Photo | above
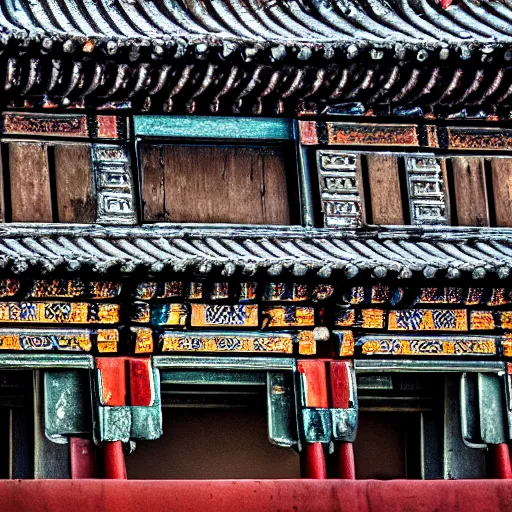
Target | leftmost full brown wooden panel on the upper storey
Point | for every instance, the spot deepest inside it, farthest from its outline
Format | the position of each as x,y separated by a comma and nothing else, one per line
30,182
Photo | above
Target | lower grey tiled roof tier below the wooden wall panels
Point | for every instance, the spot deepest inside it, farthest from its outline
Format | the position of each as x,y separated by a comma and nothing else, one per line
404,252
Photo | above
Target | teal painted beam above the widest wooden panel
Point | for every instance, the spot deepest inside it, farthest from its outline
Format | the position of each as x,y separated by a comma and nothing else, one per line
234,128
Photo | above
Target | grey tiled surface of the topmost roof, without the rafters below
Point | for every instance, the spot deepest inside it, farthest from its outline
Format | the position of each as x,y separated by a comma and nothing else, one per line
314,24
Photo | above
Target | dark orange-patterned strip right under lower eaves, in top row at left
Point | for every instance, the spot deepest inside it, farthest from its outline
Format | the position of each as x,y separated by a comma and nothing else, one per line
70,288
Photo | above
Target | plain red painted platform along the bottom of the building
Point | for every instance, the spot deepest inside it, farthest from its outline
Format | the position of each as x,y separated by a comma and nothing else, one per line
254,495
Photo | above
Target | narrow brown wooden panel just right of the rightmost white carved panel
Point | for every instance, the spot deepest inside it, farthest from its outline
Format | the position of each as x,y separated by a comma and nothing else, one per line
470,191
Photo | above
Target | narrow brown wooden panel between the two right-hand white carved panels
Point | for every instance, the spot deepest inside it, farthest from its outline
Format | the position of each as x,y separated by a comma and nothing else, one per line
386,198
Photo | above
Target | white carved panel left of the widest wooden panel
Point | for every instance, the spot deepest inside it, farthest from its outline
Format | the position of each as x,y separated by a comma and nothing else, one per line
114,184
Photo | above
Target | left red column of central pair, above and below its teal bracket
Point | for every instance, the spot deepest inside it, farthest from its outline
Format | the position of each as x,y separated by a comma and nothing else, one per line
314,395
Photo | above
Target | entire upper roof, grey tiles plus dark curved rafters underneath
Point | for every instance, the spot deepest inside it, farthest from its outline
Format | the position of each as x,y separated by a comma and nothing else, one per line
258,56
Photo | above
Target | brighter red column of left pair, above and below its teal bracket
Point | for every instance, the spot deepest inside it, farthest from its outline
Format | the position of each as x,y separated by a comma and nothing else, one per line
113,393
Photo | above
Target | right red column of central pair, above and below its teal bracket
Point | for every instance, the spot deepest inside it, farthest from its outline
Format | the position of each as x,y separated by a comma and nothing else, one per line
341,397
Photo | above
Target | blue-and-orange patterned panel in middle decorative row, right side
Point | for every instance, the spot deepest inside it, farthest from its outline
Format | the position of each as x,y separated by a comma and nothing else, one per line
428,320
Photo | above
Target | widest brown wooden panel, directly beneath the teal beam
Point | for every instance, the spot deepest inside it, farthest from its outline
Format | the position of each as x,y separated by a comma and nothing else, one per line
215,184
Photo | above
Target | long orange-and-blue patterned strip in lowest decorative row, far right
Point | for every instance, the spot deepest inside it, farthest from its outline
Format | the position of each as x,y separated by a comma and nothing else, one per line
427,346
